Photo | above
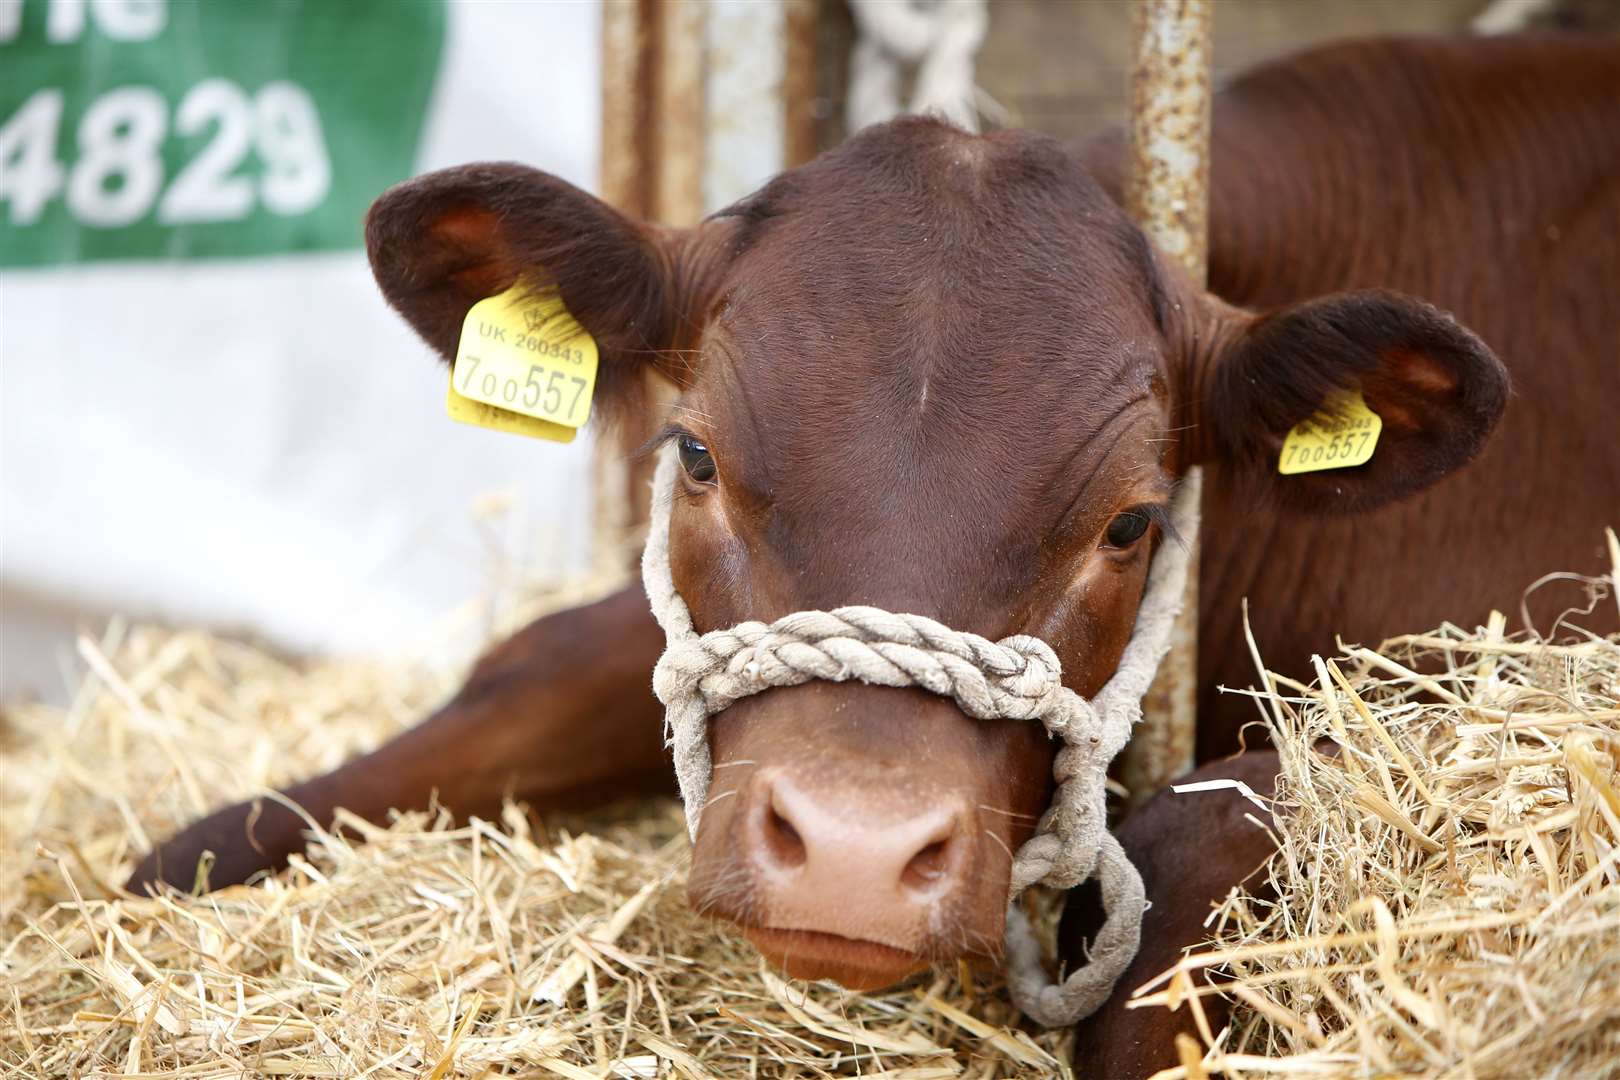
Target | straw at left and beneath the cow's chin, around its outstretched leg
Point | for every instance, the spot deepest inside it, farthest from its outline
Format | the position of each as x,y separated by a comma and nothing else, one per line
492,948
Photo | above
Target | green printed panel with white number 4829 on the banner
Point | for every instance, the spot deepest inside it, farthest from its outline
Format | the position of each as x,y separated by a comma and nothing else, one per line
195,129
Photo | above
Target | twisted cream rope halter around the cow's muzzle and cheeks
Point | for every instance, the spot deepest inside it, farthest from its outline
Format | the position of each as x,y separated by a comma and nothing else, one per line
1018,678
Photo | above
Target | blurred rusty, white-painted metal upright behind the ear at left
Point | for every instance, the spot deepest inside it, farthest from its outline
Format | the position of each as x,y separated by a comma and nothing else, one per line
704,101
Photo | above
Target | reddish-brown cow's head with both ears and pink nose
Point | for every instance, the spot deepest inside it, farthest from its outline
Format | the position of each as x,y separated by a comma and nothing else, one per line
940,375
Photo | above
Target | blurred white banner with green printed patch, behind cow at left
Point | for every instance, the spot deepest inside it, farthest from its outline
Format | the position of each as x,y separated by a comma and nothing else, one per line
255,441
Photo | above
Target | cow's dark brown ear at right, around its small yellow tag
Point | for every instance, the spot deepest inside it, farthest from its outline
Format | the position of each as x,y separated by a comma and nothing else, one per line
1438,389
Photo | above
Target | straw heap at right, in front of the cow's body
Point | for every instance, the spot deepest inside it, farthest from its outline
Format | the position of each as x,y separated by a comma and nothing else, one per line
1446,898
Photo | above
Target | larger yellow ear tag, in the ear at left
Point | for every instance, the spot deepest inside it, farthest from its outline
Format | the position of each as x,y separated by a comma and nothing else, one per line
524,365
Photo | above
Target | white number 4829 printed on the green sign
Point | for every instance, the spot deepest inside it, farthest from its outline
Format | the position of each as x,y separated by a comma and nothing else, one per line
119,169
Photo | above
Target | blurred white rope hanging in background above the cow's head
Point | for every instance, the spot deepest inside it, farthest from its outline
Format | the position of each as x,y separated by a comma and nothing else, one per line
939,36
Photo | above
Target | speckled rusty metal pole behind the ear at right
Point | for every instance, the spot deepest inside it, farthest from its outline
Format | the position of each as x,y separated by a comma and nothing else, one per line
1169,197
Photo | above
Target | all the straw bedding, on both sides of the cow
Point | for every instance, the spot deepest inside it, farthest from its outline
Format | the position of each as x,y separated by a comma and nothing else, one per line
1447,896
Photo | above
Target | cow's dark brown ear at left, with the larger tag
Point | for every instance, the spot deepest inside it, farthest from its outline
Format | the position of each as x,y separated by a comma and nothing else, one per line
440,244
